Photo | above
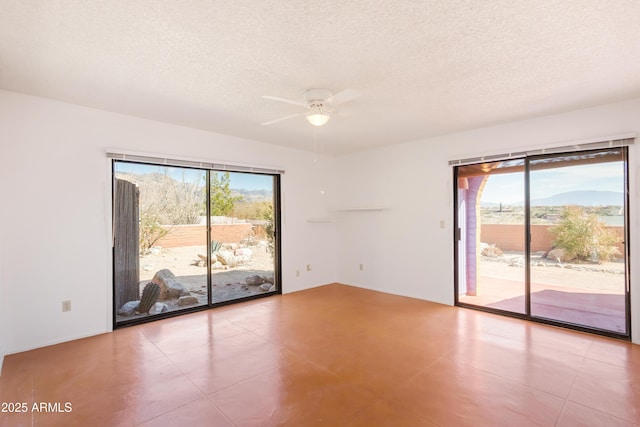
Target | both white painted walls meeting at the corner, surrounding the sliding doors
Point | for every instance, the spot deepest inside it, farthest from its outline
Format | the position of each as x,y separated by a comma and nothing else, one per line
55,207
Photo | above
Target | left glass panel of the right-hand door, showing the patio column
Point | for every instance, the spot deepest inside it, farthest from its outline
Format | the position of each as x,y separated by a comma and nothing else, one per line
491,219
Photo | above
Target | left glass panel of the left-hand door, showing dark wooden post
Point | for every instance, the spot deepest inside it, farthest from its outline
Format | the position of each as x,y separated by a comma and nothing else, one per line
158,231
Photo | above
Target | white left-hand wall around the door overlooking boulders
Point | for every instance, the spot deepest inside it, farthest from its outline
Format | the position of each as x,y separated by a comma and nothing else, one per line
55,215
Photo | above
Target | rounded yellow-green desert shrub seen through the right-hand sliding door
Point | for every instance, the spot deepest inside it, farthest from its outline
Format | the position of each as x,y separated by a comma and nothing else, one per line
584,237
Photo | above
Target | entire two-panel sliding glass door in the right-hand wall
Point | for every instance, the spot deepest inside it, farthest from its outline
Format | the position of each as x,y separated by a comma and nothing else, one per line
544,238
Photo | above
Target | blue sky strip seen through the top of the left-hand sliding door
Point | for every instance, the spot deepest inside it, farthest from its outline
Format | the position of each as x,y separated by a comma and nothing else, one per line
246,181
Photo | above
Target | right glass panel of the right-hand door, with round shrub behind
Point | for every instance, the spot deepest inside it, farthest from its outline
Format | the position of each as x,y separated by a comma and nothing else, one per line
577,202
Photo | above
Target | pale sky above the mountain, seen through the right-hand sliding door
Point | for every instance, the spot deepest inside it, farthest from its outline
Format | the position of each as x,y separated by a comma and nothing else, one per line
509,188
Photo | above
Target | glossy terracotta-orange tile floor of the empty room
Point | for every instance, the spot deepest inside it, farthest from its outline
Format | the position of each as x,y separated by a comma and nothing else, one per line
336,356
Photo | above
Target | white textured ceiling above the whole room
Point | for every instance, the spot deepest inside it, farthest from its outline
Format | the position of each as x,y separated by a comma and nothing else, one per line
424,68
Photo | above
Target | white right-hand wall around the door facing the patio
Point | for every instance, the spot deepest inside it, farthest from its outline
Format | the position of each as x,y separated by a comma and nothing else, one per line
403,248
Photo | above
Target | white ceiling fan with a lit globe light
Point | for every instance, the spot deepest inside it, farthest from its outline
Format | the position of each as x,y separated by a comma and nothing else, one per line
319,103
